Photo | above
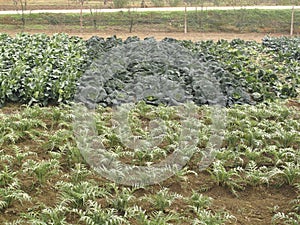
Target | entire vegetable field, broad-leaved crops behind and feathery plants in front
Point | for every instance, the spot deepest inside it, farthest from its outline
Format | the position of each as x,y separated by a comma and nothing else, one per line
254,177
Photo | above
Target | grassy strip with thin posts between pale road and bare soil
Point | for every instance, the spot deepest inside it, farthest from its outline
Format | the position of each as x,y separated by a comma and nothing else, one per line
198,20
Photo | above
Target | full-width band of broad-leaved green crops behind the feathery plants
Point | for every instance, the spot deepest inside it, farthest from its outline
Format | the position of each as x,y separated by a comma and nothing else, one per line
46,70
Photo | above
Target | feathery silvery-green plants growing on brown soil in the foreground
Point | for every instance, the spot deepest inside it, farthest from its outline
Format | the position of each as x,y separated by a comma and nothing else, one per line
39,157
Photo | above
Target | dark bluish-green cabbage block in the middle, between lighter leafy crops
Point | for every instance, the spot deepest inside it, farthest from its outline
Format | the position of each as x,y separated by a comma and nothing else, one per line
158,72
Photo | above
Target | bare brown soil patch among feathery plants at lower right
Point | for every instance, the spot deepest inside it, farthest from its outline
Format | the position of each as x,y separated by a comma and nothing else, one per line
254,205
